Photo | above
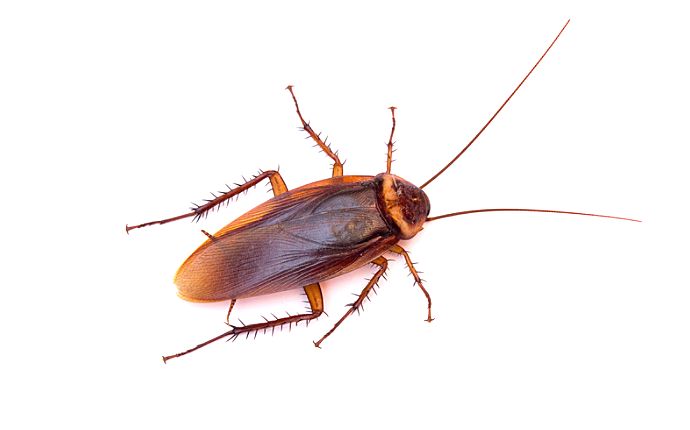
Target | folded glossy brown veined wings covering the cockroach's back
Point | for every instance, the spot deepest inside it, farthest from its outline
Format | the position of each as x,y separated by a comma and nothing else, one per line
306,235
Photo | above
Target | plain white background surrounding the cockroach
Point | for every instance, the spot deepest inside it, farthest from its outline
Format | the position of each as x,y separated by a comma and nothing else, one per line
123,112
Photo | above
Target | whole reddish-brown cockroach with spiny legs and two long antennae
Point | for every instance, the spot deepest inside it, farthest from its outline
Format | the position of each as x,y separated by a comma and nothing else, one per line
308,235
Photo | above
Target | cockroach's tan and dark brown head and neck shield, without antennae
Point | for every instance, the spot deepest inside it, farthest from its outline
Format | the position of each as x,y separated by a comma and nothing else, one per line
404,205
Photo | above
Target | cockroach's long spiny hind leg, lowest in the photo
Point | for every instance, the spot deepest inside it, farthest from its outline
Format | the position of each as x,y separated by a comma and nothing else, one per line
315,297
